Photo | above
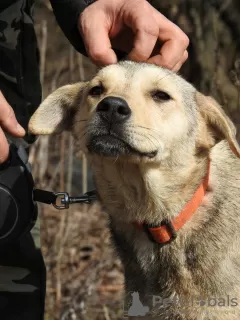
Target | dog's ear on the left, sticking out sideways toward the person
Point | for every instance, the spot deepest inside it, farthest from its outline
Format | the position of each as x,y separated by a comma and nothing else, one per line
56,112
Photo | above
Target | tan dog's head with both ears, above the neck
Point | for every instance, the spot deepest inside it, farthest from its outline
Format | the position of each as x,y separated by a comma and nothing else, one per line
135,112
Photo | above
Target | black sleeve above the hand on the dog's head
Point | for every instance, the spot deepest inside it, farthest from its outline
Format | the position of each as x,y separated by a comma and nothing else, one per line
67,13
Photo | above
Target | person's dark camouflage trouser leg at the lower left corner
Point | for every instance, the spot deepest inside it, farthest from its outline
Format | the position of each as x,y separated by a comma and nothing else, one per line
23,279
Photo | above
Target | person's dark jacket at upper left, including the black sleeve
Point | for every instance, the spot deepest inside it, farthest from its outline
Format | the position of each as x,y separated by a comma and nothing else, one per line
19,57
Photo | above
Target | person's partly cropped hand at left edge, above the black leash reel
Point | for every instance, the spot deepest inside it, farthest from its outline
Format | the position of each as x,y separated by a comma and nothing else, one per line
8,123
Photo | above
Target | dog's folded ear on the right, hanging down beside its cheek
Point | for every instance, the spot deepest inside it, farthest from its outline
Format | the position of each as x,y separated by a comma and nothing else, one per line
218,123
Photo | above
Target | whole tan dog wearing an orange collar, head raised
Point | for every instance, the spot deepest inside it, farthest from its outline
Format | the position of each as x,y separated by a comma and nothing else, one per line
149,136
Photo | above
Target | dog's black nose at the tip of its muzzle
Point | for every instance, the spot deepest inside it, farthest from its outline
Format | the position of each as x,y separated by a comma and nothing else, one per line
114,109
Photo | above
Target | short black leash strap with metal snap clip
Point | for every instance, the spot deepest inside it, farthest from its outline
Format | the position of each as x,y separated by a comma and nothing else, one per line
49,197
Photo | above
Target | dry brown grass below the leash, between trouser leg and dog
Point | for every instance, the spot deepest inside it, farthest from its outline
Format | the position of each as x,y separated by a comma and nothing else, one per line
91,279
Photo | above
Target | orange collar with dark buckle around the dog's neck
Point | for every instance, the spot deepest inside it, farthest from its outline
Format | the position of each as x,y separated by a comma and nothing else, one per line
166,231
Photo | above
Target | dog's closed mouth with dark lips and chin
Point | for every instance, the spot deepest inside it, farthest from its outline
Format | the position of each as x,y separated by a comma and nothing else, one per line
112,146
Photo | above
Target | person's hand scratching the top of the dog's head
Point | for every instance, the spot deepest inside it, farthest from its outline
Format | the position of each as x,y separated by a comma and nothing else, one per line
133,27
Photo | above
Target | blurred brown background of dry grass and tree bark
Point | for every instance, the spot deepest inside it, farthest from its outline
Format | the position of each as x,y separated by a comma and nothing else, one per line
85,279
